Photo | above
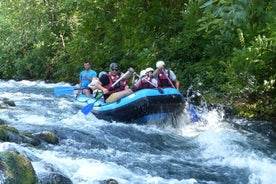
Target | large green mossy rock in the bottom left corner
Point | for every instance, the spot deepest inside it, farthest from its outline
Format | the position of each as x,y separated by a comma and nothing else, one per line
16,168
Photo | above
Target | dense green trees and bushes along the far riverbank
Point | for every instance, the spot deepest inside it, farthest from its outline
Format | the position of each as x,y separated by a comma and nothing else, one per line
225,49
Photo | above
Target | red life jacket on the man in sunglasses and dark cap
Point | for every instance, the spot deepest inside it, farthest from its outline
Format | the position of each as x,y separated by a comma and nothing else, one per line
118,87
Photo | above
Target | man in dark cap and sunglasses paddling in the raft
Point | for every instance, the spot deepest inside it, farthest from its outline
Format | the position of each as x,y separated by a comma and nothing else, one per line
114,93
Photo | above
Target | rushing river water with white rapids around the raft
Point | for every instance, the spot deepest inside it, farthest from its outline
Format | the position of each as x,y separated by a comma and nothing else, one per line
216,150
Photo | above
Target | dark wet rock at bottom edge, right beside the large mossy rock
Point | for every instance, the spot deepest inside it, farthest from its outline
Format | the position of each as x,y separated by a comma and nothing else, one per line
54,178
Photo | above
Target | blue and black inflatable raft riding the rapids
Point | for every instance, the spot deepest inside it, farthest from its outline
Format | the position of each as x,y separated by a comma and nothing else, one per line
141,106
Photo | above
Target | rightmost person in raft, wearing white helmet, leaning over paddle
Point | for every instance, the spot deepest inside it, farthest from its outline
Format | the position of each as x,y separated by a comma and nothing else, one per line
165,77
